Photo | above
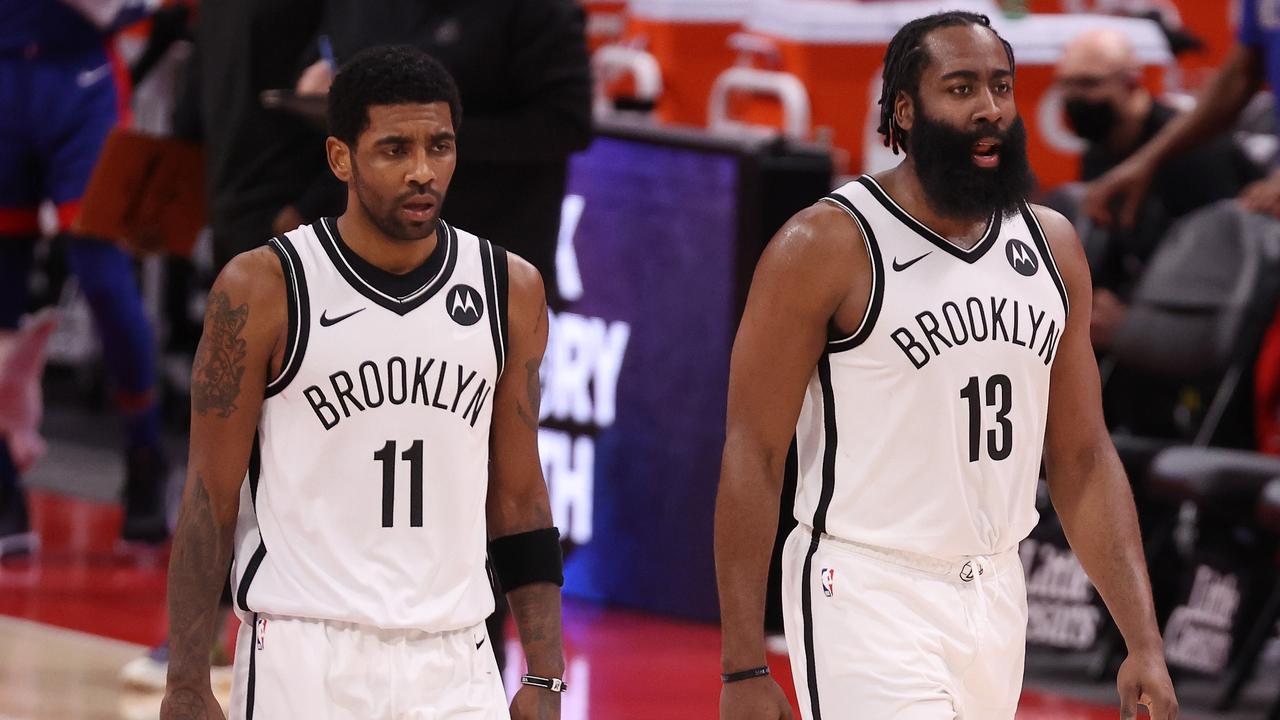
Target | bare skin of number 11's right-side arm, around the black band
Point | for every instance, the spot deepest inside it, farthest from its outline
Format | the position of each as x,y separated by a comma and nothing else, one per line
518,493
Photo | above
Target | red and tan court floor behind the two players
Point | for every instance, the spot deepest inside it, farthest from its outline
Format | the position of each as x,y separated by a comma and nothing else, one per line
623,666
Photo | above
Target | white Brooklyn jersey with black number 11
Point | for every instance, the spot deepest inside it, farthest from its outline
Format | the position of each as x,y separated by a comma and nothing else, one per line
365,498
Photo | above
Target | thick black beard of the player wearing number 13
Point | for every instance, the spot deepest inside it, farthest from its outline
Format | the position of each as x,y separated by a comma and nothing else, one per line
958,189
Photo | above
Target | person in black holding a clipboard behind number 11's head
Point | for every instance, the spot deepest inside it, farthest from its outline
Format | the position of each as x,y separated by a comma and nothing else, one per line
527,95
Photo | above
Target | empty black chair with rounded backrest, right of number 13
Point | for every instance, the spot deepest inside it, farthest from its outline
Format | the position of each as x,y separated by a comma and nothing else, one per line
1196,320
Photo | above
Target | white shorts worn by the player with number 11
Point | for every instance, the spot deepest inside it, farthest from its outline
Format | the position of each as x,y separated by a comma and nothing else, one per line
324,671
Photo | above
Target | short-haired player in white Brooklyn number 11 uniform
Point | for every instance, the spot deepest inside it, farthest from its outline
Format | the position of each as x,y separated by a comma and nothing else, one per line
364,432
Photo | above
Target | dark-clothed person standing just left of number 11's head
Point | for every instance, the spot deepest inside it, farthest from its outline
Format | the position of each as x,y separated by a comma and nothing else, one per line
267,171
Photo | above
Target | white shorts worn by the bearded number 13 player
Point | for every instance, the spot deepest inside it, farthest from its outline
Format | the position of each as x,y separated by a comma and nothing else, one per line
881,635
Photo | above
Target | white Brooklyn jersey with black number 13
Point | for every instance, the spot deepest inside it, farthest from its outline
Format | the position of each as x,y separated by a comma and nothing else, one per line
924,431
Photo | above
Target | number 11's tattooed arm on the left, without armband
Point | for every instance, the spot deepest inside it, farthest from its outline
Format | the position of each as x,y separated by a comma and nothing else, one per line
243,341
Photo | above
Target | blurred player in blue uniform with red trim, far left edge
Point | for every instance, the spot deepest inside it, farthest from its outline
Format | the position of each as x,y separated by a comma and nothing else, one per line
62,93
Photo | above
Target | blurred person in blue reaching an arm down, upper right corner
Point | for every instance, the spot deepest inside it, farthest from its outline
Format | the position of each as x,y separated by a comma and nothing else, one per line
1116,198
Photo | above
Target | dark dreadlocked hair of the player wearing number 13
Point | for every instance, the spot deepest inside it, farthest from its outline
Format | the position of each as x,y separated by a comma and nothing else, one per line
907,57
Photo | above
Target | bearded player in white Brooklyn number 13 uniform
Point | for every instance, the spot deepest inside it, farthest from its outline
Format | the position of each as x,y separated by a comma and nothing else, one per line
935,336
